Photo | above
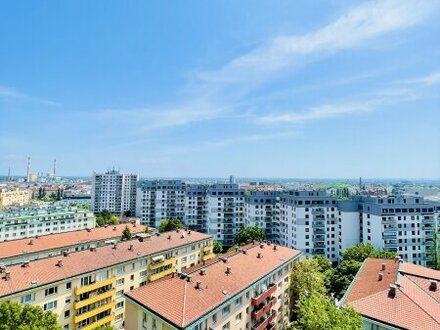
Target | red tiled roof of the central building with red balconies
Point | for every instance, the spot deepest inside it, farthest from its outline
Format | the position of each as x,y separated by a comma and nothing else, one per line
189,303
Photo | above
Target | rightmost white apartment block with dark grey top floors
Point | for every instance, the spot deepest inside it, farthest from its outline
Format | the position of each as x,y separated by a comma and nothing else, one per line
404,224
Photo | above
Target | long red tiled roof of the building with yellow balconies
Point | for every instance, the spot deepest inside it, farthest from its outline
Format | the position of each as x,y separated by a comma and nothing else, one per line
45,271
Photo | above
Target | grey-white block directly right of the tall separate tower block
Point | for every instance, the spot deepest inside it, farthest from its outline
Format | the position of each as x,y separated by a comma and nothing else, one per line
160,199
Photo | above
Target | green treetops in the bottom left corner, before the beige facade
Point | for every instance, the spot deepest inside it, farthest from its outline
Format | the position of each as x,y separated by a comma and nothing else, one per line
27,317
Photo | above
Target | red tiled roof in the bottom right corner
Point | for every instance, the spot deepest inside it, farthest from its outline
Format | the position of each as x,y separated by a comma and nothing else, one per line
414,305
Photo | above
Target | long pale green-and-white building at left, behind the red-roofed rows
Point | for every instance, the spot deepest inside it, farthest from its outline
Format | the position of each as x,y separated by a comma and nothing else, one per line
30,222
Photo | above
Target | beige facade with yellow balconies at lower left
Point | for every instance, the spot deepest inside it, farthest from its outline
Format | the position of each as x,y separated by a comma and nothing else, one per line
86,301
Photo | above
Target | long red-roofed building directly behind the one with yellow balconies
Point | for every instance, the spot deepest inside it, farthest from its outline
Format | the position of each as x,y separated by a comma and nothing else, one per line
27,249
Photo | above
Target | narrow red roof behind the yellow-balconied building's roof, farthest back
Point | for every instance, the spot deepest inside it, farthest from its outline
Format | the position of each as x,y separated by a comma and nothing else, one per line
53,241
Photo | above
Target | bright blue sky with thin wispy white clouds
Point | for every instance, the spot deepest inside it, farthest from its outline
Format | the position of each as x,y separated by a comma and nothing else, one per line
319,89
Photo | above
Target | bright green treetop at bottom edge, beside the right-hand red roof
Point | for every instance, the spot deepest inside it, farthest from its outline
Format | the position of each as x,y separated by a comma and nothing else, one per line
317,312
